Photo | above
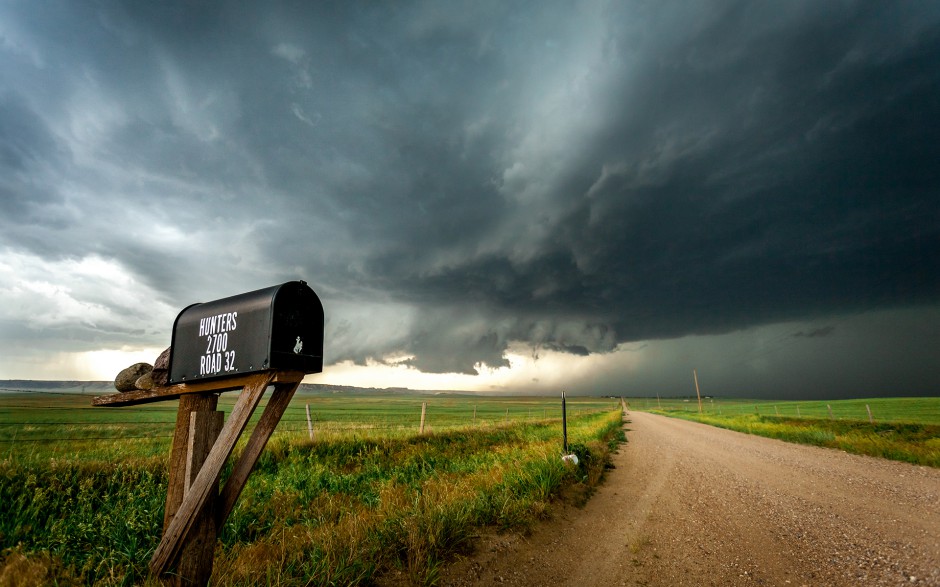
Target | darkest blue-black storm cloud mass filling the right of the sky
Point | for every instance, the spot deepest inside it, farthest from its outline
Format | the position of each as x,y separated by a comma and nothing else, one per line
747,179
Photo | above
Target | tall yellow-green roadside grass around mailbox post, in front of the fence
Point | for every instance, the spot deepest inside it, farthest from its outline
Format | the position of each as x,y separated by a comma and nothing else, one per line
346,509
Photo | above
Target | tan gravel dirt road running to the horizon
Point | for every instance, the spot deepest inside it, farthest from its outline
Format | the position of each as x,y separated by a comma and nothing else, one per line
689,504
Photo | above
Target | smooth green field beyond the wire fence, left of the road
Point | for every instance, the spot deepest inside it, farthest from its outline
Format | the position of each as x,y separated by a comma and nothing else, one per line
42,425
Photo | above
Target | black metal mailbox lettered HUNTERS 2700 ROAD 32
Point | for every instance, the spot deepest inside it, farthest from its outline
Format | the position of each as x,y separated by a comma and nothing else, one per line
279,327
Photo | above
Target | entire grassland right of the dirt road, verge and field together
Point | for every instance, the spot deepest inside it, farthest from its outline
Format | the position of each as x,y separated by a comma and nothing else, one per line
903,429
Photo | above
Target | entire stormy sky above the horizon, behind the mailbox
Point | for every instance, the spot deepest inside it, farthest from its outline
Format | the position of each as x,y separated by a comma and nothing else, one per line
515,197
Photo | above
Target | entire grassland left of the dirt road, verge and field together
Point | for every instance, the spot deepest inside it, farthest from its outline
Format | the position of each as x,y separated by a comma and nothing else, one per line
83,488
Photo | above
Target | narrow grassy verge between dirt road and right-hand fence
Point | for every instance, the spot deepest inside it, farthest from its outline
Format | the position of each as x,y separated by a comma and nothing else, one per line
909,442
